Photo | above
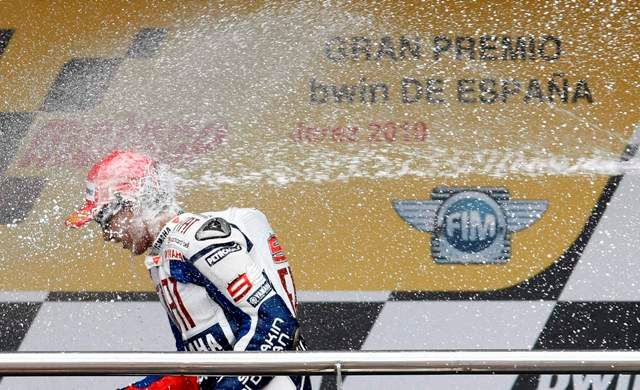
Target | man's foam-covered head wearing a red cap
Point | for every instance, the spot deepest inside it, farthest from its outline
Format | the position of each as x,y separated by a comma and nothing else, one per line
127,194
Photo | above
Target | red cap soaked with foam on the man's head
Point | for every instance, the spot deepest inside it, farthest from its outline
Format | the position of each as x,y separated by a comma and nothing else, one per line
119,172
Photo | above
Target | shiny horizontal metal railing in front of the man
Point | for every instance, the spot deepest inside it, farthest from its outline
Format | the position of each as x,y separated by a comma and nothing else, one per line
318,363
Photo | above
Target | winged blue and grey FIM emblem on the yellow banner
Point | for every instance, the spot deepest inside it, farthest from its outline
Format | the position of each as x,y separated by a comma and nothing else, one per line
470,225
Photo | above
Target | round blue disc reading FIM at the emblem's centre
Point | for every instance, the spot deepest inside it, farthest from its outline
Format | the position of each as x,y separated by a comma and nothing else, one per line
471,224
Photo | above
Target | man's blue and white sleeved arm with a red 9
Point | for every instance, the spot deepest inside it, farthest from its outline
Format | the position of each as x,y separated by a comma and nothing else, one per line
243,290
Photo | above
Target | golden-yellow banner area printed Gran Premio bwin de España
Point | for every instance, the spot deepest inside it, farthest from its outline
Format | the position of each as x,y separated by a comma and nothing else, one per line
455,154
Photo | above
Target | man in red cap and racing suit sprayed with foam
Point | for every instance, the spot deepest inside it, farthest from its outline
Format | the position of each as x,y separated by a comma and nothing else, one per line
222,277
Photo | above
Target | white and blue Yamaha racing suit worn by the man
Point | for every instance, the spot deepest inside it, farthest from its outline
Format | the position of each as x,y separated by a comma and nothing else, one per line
226,285
